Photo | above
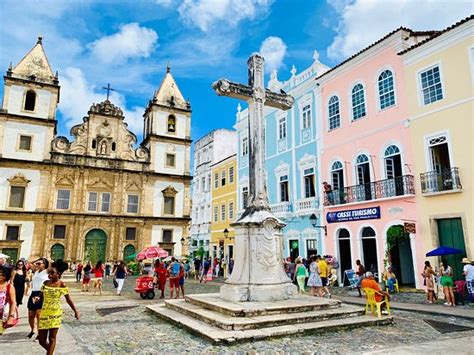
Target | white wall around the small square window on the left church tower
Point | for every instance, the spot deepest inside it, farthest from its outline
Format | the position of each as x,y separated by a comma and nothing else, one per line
11,140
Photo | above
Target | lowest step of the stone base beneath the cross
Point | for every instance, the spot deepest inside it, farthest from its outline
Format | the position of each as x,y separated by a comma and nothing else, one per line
218,335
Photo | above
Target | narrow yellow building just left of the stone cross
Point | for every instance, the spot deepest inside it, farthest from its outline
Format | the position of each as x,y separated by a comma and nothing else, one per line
224,208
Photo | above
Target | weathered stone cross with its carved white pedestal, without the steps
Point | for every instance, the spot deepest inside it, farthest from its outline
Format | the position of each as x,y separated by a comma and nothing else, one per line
258,273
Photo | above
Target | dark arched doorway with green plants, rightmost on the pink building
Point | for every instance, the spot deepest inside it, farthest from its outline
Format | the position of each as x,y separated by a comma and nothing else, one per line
401,255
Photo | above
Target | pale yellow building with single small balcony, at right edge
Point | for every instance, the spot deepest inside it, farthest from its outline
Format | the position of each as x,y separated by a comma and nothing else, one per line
439,79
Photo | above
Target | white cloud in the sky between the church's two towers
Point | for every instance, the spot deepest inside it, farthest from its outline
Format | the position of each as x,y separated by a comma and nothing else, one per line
77,95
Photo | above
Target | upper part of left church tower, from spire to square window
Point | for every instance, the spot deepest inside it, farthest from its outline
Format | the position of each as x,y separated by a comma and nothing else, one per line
28,113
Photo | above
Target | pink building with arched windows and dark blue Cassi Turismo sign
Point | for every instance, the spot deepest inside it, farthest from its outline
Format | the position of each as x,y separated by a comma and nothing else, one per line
367,160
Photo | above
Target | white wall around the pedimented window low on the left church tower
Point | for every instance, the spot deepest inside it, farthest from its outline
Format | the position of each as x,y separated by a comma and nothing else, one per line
32,190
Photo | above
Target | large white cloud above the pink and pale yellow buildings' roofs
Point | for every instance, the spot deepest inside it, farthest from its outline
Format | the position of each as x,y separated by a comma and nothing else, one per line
362,22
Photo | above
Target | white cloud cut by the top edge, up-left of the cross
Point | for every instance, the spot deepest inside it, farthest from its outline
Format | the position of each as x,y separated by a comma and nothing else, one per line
209,14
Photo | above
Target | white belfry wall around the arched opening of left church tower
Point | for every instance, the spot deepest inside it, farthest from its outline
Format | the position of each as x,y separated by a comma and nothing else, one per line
16,102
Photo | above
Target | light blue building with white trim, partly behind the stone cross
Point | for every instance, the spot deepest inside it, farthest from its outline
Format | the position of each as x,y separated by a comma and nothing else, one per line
291,150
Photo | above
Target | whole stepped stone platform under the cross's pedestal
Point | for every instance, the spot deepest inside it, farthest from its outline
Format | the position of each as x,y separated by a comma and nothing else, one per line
222,321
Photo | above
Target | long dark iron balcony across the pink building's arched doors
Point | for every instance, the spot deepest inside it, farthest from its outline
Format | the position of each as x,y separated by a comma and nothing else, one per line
399,186
